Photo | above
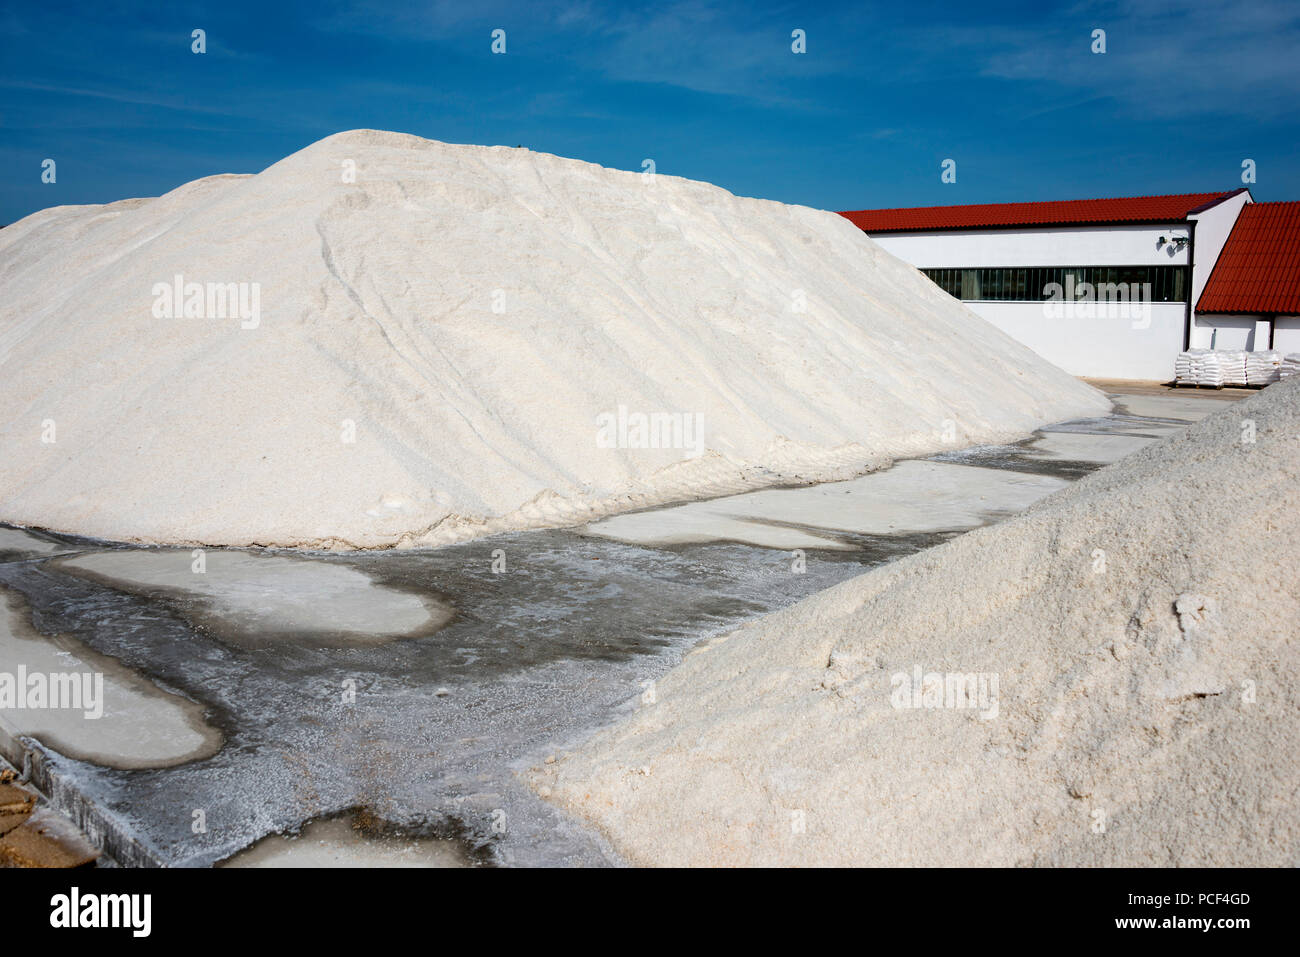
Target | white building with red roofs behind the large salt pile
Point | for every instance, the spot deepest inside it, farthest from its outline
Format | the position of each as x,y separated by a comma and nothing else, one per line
1113,288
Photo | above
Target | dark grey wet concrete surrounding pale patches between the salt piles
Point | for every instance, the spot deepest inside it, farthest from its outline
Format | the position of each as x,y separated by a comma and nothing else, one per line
427,734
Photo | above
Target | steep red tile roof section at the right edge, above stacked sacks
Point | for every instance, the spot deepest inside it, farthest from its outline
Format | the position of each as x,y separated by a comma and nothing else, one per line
1259,270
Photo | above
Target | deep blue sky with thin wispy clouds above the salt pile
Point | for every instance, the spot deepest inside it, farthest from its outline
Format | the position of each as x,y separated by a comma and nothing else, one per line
1013,93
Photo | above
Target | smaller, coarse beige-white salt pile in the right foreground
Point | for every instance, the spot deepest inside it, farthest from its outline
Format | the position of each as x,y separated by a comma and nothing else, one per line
1136,642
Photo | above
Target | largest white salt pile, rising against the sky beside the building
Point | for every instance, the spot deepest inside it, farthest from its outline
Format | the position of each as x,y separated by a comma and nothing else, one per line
430,335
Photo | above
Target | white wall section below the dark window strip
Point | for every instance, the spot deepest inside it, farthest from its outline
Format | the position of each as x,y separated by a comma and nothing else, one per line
1095,347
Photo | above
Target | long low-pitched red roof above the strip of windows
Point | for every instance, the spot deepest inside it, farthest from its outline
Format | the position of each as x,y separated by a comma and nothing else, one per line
1061,213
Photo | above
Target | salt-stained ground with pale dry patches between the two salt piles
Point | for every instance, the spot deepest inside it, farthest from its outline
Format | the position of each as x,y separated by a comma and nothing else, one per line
418,683
